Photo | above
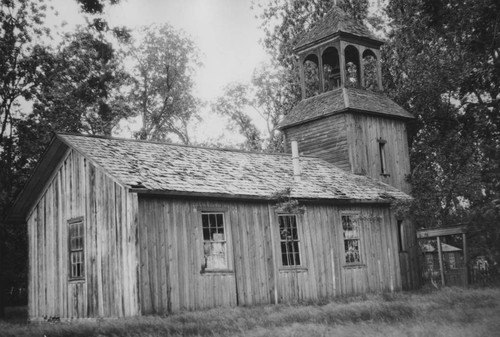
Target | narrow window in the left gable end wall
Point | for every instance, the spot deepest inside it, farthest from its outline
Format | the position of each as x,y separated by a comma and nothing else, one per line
76,249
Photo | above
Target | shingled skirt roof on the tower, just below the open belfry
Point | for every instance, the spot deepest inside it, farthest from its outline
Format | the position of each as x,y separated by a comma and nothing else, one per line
341,100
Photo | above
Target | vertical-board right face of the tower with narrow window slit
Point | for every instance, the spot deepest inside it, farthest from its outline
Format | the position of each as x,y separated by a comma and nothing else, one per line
364,151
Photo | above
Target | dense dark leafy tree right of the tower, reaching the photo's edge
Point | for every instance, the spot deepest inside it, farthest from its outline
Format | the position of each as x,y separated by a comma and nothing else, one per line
443,65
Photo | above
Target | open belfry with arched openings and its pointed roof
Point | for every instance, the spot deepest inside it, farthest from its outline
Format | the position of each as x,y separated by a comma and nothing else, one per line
342,52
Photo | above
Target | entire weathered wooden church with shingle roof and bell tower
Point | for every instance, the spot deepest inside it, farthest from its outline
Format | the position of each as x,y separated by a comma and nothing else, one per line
125,227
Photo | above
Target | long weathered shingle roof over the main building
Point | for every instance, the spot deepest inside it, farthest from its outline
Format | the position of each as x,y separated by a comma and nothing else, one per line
157,167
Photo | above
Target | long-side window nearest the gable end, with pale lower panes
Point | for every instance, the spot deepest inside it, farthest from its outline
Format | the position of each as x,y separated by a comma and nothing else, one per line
214,241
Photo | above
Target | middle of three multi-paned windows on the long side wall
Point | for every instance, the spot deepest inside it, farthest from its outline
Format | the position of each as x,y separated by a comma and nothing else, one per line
289,240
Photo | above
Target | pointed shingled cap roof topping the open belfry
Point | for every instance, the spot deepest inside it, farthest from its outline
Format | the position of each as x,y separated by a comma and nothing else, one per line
334,23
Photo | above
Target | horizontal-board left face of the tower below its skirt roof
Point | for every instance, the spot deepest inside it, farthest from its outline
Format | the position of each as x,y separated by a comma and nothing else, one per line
324,138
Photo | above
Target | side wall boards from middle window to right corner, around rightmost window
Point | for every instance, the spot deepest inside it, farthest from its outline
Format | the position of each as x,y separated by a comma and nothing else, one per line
326,273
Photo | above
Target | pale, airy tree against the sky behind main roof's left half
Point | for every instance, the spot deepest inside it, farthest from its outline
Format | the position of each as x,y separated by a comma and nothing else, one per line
165,60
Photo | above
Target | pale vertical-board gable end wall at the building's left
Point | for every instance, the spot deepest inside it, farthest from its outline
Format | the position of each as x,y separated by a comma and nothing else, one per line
79,189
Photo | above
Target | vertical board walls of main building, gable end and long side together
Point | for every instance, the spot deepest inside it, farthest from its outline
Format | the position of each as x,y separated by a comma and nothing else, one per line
143,255
